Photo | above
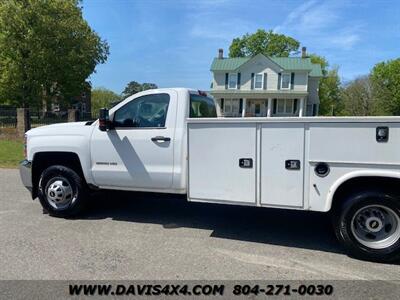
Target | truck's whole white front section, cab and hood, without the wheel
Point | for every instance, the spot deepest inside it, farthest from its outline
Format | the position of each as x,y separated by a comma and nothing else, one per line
144,147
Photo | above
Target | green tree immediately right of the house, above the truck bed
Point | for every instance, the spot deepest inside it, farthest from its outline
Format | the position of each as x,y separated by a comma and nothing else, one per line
329,88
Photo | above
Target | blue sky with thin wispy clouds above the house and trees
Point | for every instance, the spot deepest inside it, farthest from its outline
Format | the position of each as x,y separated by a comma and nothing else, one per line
173,42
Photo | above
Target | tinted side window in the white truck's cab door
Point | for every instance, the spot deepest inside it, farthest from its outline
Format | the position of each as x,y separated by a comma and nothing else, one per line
146,111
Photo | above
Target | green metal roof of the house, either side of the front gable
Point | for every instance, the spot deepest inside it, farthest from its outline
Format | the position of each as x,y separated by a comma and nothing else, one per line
286,63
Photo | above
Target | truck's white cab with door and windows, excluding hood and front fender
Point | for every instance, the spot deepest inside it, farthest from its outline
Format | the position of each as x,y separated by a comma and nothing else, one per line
146,146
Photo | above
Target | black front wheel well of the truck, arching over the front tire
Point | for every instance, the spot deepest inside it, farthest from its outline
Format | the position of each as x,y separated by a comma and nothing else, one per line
43,160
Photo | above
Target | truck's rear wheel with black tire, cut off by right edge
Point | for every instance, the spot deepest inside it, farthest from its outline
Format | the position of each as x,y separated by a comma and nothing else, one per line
347,226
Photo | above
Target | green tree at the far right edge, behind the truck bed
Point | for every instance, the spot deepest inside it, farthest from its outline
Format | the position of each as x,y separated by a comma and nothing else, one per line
385,77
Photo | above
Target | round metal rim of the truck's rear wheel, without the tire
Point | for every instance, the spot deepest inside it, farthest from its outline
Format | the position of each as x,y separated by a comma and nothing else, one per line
376,226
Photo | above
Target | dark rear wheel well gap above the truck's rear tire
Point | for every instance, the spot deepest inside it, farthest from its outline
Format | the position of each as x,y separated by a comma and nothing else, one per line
362,183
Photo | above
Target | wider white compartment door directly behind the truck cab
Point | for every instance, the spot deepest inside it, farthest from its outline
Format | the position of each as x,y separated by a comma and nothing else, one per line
222,164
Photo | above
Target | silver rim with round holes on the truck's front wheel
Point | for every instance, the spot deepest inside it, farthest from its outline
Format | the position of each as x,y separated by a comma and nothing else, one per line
59,193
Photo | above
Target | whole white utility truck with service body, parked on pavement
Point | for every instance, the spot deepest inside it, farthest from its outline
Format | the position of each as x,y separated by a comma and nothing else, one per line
171,141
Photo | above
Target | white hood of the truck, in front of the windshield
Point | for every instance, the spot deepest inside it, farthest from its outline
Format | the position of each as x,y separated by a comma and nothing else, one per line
71,128
